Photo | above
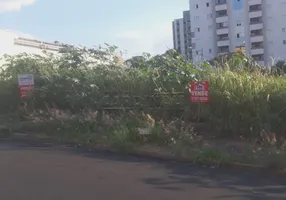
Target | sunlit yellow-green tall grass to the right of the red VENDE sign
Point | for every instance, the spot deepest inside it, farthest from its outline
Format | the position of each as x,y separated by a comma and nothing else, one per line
244,103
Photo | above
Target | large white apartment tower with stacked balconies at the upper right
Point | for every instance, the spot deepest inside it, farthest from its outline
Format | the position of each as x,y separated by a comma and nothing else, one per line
222,26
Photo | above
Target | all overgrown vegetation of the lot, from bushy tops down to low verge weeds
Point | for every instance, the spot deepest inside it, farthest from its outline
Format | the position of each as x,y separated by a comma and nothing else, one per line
91,96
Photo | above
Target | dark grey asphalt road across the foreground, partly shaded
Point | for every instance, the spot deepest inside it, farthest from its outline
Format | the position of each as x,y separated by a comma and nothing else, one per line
29,172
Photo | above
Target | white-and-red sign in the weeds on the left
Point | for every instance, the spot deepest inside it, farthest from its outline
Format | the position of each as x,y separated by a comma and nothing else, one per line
26,84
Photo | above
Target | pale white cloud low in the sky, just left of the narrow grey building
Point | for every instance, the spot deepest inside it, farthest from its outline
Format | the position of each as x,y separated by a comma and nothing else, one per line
154,40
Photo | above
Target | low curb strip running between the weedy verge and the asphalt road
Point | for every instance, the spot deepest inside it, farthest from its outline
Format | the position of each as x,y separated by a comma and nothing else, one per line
26,138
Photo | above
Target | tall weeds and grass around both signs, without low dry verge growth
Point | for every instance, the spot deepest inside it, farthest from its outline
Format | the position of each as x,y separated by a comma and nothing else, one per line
243,100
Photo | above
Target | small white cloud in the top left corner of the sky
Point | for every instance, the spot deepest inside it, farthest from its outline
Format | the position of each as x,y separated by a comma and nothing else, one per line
14,5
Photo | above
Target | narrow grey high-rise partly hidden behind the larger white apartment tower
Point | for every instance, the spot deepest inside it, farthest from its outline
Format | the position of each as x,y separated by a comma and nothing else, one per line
182,35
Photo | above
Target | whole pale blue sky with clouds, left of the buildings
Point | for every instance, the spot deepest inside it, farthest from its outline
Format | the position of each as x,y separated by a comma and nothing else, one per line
132,25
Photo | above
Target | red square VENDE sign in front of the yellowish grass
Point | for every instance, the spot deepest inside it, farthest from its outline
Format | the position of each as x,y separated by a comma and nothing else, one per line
200,92
